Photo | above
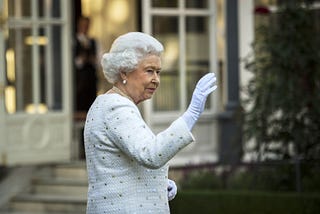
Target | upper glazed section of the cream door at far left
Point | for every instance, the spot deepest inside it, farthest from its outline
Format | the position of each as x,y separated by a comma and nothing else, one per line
33,42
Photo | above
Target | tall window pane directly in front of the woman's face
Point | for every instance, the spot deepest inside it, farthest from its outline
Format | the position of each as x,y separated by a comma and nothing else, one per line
168,95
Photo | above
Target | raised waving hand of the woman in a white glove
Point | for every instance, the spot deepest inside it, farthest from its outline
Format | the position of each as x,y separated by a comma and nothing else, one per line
204,87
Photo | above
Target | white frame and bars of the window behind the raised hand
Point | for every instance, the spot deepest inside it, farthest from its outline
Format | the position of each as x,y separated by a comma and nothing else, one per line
181,12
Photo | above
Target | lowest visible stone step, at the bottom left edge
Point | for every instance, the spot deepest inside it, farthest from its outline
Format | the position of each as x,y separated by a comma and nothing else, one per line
49,203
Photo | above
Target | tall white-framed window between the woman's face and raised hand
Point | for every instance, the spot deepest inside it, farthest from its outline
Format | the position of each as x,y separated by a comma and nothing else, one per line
186,29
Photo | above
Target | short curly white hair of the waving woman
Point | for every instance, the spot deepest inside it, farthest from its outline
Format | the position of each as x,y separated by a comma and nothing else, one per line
126,52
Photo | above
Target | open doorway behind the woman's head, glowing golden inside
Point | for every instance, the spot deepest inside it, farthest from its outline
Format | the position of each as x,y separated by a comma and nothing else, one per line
107,19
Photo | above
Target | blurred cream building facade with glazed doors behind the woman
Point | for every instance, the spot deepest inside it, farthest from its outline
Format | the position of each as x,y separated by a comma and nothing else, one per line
37,122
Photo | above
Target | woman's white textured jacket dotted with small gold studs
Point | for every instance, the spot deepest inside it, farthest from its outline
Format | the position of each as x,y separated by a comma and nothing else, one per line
126,162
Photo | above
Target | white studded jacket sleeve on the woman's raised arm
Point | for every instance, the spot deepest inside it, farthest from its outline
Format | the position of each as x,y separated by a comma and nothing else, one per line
129,132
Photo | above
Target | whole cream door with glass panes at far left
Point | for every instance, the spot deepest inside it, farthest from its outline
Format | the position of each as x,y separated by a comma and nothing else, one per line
35,81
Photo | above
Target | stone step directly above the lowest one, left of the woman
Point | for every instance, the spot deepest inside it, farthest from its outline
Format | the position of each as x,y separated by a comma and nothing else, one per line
59,186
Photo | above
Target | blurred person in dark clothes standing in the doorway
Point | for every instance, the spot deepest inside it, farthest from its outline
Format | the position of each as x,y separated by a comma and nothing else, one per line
85,67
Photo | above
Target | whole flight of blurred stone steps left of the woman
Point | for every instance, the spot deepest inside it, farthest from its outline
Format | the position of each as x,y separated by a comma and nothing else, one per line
54,189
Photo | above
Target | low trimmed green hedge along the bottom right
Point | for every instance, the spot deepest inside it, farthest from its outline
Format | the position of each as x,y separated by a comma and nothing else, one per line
238,202
